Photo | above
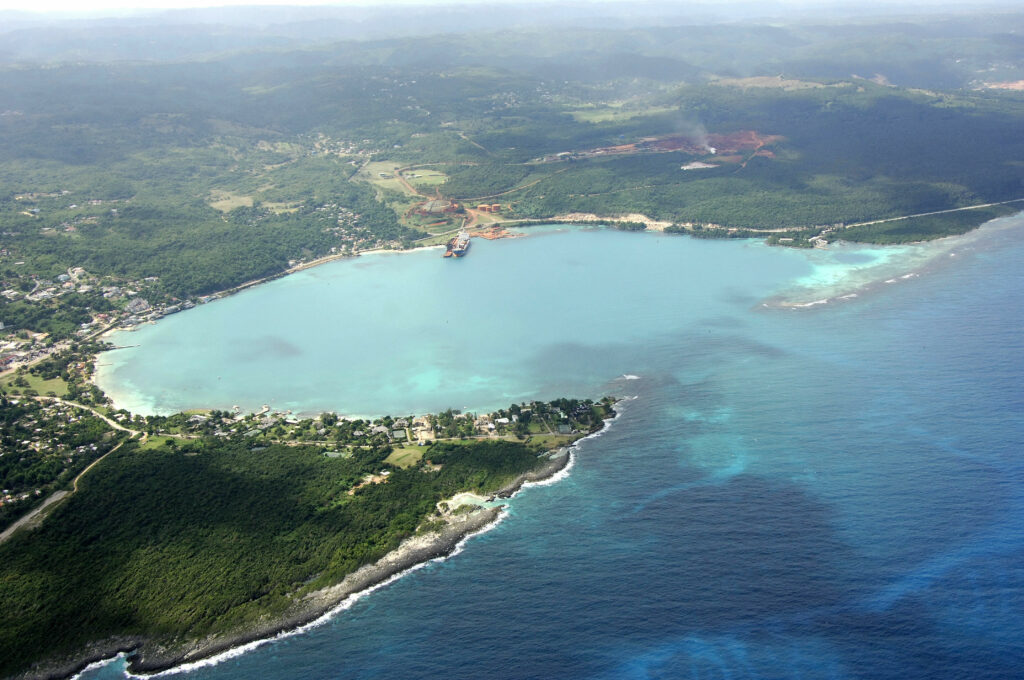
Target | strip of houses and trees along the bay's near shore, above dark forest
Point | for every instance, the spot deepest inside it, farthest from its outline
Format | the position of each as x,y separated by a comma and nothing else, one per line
50,441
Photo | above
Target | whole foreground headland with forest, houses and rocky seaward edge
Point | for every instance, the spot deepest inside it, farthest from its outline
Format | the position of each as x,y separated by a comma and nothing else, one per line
201,533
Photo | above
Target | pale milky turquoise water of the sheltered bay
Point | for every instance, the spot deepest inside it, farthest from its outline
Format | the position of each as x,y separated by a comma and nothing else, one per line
560,313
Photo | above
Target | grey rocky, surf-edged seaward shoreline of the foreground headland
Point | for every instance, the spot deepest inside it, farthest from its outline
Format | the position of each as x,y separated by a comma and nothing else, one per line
148,657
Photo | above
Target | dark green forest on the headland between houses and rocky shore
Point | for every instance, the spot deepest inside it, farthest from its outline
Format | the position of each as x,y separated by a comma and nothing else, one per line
174,543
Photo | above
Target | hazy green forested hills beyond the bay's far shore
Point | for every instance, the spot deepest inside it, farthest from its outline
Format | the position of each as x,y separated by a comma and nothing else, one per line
205,171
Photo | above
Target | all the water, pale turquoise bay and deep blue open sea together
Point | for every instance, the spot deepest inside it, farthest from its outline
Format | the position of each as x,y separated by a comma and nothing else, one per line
832,491
